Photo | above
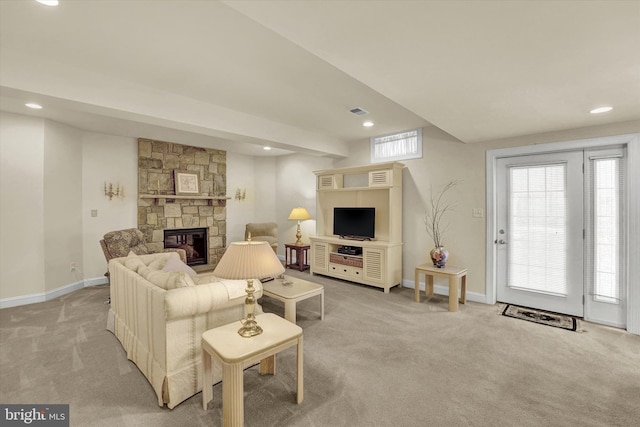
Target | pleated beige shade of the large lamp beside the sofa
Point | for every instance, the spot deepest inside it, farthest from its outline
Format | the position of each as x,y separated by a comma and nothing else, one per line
248,260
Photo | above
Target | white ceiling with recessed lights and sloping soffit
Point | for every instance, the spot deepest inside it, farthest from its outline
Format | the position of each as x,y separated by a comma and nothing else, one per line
285,73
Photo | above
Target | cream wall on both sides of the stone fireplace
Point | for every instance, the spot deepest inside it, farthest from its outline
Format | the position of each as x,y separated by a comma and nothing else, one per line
49,190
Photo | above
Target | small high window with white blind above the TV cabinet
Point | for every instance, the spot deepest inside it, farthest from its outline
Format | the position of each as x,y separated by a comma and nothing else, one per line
397,146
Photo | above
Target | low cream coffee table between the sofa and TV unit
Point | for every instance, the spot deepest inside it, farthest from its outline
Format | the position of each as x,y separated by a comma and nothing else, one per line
290,294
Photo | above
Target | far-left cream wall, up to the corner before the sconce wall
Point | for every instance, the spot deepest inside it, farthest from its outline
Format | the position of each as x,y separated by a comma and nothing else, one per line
40,205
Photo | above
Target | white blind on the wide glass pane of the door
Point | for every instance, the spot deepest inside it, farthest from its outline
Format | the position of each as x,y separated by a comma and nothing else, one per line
537,224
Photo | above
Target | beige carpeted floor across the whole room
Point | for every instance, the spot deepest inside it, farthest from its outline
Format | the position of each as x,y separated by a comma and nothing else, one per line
376,360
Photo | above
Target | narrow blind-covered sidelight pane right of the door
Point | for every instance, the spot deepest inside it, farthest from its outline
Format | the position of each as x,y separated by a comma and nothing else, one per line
606,181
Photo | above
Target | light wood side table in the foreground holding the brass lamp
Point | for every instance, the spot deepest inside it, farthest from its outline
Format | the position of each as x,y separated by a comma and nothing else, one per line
226,346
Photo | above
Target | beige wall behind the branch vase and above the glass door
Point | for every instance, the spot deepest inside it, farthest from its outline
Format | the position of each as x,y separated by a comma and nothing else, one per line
445,159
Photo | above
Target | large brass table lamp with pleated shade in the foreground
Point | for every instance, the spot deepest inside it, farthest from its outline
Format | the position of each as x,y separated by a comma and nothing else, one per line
248,261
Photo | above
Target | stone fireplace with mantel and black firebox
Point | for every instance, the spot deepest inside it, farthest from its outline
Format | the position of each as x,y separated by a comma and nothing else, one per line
160,209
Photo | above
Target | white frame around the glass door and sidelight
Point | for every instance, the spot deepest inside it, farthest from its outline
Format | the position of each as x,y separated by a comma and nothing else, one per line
632,141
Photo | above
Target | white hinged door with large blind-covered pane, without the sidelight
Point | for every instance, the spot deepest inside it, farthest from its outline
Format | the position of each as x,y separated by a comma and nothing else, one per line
540,261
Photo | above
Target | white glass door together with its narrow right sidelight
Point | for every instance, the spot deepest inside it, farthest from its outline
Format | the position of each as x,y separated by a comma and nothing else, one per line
560,242
